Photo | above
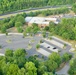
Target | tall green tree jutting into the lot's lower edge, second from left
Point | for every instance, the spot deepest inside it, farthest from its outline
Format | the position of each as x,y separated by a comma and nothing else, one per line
19,57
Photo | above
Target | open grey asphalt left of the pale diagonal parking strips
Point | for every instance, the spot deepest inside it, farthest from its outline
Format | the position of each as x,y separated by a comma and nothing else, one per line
17,41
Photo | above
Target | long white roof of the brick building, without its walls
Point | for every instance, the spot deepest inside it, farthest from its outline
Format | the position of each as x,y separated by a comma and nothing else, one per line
39,20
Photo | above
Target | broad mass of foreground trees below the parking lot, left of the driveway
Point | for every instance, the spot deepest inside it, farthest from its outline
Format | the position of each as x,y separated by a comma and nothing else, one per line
17,63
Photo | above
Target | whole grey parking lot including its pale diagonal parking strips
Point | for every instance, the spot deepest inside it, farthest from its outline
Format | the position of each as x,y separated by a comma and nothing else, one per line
29,44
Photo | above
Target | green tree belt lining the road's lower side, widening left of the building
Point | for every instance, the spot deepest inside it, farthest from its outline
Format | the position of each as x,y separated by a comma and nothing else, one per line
19,20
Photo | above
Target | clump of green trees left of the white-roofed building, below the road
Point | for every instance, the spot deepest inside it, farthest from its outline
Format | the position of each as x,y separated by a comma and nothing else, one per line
18,21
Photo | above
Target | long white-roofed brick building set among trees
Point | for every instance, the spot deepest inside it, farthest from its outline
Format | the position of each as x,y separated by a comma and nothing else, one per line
41,21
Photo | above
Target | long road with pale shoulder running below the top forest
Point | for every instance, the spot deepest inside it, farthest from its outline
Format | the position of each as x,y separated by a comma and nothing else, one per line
2,16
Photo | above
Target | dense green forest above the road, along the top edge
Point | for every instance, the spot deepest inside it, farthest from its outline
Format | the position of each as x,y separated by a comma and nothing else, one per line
9,6
